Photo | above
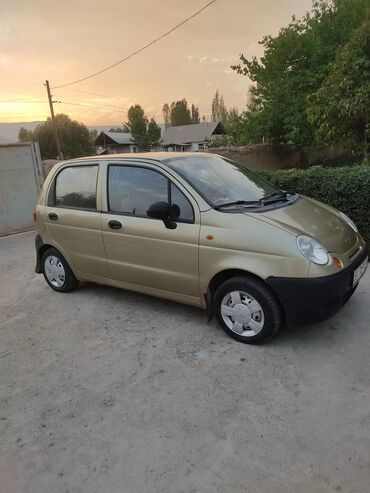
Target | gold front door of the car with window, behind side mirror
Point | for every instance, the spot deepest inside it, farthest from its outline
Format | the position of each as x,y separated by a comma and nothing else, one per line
142,251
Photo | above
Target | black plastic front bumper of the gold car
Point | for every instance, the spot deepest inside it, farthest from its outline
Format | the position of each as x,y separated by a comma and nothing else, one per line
312,300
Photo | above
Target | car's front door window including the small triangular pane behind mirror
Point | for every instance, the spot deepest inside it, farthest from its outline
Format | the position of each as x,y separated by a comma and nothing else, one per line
132,189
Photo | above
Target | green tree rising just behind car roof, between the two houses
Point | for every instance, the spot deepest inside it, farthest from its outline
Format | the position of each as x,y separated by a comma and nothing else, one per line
145,134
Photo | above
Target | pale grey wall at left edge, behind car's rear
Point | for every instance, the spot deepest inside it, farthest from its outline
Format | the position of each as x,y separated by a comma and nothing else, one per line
20,182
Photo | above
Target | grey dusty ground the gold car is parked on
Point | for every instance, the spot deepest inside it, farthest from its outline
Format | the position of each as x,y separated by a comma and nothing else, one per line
103,390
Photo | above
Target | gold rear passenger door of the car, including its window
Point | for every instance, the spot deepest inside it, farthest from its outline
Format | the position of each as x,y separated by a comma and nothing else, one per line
73,218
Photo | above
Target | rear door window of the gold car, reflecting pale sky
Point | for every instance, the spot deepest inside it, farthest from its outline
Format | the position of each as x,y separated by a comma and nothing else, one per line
75,187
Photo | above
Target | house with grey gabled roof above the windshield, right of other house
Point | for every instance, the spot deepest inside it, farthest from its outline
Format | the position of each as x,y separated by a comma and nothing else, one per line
191,137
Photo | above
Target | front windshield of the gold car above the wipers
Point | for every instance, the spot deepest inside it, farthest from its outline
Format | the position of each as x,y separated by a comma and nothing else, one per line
221,181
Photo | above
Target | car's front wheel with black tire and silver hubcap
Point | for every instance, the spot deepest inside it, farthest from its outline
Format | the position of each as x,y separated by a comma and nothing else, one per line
247,310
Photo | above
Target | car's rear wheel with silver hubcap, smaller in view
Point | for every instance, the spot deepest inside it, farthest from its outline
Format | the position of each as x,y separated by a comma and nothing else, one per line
57,272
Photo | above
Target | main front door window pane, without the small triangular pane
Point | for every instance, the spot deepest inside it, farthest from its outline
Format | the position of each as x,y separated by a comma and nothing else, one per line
131,190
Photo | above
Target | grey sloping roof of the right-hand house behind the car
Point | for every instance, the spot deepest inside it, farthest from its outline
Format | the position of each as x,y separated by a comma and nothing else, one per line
197,132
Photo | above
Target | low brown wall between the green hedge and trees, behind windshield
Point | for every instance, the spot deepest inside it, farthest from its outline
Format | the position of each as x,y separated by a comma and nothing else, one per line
267,156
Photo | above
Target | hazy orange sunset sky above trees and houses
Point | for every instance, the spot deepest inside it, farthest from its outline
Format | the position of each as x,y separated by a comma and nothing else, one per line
64,41
